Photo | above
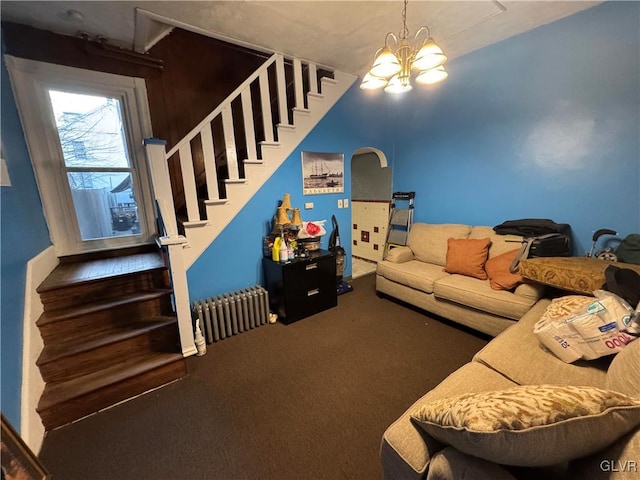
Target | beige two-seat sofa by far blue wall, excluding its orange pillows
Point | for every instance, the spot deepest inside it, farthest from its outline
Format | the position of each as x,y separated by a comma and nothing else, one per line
415,274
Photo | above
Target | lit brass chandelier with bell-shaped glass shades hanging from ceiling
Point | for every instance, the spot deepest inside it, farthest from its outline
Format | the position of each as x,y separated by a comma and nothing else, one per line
392,69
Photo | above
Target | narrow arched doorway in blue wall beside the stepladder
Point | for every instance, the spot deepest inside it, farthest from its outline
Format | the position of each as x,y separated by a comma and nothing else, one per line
371,189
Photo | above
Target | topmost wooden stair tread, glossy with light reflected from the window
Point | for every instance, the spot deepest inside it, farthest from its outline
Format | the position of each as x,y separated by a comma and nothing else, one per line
66,274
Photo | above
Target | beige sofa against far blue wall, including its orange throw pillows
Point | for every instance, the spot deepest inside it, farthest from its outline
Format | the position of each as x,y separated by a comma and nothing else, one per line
443,269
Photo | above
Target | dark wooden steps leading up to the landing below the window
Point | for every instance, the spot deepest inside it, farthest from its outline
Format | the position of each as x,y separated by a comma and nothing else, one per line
109,333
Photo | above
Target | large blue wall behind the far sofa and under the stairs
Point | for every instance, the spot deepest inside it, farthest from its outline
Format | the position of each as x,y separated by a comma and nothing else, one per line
542,125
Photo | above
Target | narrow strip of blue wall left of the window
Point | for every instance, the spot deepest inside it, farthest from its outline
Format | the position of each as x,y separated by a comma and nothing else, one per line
24,235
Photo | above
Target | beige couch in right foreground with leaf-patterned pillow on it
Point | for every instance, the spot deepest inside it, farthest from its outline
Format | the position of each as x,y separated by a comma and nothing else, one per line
601,440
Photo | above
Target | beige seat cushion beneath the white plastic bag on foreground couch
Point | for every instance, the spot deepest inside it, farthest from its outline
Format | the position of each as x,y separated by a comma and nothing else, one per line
517,354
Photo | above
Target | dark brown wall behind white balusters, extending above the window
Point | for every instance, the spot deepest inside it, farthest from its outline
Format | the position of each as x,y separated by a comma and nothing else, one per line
198,73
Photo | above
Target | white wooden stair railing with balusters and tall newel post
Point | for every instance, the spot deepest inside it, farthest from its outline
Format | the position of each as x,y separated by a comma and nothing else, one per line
158,159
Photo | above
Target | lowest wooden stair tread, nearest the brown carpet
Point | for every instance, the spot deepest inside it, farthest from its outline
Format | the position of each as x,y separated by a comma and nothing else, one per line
59,392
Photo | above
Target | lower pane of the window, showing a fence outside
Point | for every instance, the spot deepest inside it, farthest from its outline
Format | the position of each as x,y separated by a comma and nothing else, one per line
105,204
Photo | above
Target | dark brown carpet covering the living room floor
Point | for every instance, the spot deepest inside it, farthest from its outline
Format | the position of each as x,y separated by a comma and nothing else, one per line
309,400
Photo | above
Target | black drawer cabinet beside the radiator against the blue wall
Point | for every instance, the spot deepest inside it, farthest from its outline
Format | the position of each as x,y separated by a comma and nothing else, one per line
302,287
